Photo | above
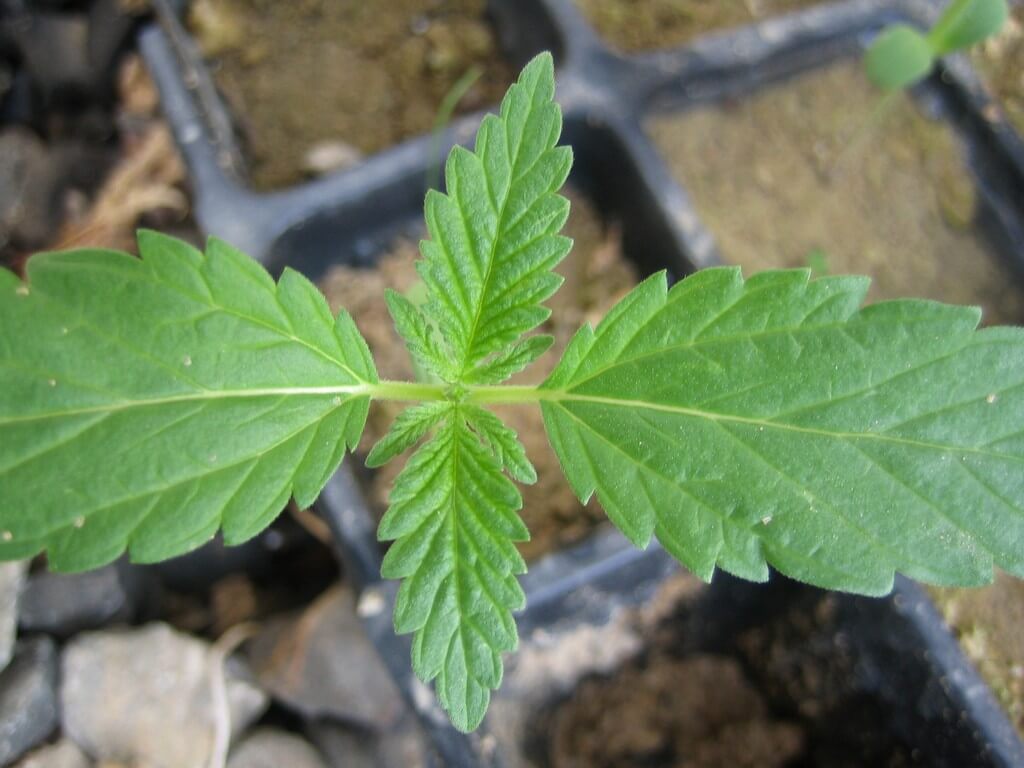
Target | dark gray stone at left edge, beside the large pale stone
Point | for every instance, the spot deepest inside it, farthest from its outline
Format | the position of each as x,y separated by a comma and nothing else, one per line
28,699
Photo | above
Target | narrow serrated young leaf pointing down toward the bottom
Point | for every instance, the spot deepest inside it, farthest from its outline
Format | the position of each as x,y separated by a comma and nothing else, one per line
453,514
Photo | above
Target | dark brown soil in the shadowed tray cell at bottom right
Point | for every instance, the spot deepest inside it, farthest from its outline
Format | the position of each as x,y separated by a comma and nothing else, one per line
781,694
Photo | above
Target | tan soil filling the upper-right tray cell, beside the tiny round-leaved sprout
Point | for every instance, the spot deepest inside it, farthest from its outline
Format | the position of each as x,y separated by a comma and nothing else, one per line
820,172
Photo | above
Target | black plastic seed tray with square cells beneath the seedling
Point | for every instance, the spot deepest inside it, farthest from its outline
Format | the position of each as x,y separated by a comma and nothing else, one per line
907,659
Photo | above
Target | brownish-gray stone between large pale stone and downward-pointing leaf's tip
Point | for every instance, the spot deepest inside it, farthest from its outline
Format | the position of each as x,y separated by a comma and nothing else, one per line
324,666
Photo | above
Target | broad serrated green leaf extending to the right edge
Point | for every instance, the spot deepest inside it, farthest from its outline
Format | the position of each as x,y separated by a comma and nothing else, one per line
772,422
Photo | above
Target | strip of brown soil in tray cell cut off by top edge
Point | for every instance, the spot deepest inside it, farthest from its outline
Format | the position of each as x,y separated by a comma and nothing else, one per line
651,25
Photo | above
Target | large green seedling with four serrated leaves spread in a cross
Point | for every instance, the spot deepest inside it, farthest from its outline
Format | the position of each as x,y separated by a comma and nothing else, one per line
147,404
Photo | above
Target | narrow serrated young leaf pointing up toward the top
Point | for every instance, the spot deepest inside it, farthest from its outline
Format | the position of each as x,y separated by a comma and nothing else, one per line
494,242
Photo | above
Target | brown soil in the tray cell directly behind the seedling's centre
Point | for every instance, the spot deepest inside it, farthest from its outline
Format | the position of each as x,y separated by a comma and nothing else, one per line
596,276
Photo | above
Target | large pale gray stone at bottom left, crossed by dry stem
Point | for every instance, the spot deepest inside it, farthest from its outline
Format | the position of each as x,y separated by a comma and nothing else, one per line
145,697
